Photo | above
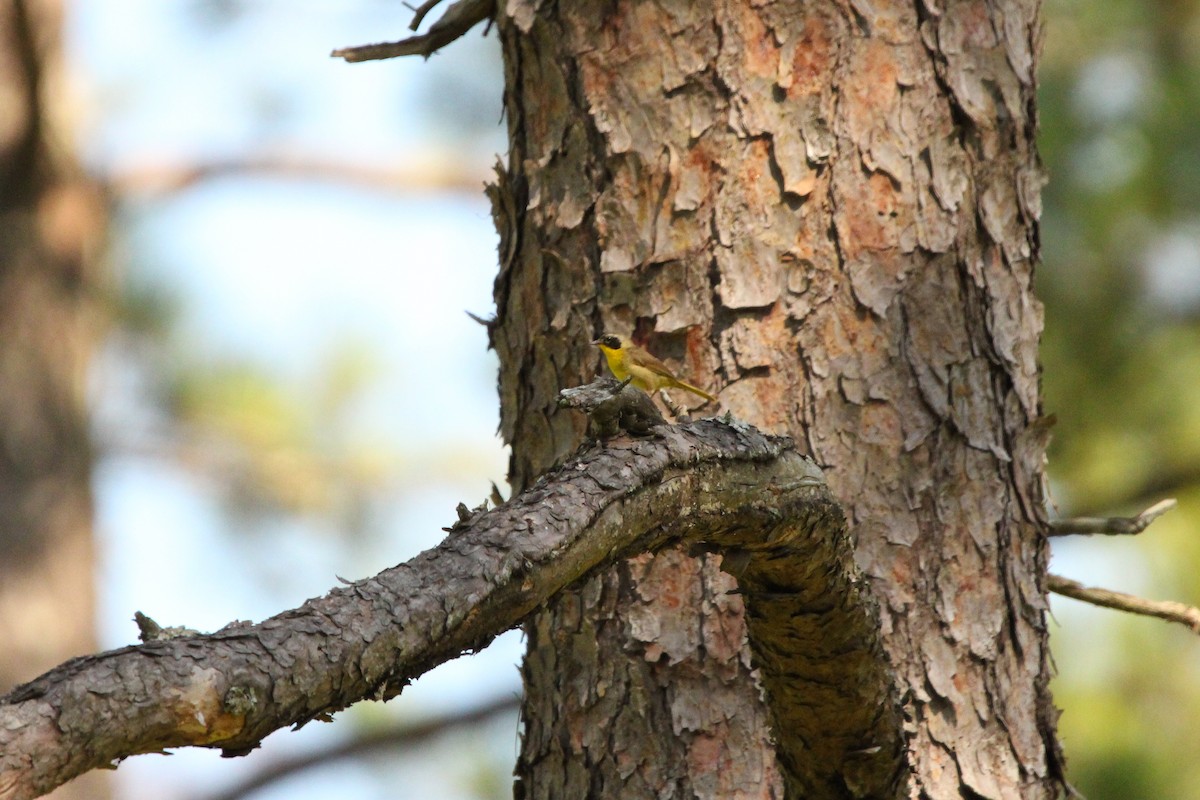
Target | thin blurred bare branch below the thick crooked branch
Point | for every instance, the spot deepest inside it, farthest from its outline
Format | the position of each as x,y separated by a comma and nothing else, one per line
373,742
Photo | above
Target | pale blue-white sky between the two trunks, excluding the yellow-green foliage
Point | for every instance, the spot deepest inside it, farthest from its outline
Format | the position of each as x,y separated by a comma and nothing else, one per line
280,272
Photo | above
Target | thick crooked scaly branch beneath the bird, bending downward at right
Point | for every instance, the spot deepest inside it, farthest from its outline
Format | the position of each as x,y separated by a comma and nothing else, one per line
710,485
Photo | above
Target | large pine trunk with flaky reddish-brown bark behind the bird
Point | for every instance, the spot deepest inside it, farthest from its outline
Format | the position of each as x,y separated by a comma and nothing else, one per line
827,213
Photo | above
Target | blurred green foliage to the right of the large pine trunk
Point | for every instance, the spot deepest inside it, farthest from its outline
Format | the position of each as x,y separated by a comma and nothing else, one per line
1120,105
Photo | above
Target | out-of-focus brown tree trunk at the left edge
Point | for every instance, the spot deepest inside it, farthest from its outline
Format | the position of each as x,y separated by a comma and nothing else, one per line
52,218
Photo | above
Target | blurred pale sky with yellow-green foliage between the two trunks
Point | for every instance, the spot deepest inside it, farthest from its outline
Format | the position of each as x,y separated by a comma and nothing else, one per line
292,393
